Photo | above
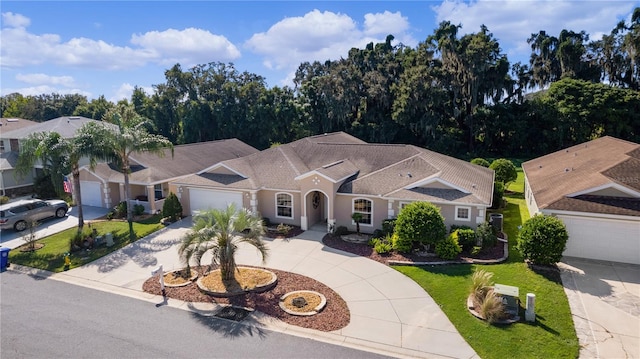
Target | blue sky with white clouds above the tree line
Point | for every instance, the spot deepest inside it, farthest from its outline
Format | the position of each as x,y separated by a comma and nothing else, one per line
106,48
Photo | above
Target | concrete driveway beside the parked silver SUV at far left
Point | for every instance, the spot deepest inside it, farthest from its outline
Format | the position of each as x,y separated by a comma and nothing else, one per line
12,239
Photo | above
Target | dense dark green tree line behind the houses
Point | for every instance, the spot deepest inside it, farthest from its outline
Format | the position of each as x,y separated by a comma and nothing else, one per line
452,93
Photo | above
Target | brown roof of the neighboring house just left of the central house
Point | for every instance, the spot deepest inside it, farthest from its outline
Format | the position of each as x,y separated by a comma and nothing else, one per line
150,168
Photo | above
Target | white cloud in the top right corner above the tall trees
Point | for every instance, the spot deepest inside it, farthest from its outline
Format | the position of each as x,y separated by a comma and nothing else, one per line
512,22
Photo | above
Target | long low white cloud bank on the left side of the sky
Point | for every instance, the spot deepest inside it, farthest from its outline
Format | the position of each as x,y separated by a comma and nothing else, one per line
190,46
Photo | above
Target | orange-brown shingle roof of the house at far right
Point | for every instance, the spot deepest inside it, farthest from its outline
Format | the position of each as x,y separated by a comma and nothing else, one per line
584,168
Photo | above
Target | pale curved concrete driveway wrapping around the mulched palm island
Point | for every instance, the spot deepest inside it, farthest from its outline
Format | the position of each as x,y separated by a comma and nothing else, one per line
390,313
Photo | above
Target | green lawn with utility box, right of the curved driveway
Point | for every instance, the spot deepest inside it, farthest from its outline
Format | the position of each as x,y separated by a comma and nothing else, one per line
551,336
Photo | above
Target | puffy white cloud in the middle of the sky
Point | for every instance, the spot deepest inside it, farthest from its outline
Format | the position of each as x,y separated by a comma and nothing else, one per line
323,36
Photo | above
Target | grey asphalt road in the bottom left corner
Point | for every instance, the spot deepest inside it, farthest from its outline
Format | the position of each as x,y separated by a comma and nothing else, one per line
43,318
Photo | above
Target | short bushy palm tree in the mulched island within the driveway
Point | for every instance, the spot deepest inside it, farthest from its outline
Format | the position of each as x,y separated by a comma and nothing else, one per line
220,232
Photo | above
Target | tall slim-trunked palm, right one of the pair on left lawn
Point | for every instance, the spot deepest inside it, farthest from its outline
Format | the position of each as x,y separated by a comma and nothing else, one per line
117,143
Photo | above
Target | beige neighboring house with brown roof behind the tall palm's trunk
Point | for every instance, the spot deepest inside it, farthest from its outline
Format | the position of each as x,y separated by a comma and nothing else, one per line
150,174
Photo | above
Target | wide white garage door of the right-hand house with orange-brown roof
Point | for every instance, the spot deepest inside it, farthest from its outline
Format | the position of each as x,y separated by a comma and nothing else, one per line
609,240
